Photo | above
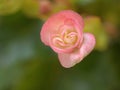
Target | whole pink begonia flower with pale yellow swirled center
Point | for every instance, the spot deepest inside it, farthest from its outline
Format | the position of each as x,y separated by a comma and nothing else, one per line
63,32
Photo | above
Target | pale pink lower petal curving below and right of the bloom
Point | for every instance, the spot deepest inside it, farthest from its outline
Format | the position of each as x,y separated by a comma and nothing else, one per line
69,60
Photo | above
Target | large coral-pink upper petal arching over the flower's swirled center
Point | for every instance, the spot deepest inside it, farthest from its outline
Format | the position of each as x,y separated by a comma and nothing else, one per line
52,25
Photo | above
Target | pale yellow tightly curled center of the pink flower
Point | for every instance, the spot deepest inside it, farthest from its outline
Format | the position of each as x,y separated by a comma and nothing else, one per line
65,39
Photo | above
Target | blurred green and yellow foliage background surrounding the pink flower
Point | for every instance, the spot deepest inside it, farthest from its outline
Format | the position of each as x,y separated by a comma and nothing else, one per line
27,64
